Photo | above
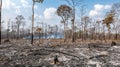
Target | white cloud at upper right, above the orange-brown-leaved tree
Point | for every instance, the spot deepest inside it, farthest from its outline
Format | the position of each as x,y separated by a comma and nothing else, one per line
98,9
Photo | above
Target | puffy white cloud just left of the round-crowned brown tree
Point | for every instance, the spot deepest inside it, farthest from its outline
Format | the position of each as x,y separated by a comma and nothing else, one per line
49,16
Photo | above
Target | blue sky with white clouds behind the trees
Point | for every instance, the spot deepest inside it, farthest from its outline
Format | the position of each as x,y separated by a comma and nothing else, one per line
45,12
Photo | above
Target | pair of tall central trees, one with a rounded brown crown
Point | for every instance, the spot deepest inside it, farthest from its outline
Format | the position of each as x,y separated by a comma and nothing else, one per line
66,12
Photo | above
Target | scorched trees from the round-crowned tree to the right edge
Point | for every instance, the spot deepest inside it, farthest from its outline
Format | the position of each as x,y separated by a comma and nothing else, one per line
89,28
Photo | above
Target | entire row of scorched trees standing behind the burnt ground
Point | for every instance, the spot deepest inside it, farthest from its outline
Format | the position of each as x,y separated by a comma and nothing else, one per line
86,28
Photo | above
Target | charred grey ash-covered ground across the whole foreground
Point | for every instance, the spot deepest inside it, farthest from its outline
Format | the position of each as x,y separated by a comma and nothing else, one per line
23,54
